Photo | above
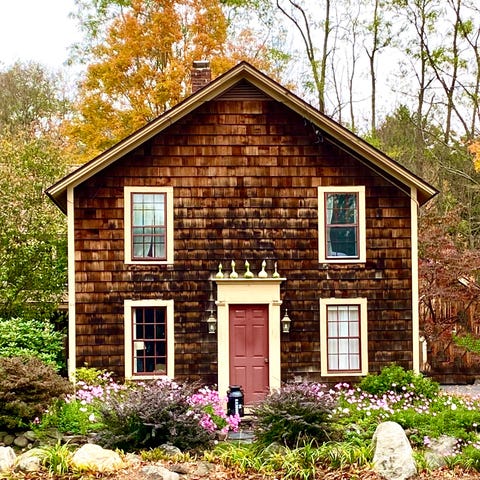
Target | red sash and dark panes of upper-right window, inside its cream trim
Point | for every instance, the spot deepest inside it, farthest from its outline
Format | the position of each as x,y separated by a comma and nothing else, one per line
341,225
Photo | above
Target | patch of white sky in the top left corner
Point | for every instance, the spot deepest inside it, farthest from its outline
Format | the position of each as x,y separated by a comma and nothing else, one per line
38,30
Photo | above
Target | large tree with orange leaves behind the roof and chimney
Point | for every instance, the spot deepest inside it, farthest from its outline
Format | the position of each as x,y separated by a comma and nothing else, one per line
139,66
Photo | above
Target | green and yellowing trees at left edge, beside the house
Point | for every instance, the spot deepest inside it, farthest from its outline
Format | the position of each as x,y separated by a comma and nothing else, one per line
32,233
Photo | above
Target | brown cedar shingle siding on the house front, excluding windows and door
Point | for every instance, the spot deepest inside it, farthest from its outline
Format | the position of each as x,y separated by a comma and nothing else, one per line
245,174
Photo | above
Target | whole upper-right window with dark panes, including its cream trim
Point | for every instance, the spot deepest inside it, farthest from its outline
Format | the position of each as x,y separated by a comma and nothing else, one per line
341,224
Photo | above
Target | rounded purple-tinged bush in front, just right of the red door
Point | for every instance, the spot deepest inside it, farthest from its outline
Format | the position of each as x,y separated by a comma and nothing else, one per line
295,415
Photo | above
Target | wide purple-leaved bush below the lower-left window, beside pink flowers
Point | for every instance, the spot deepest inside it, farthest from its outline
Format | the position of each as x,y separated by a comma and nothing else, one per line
153,413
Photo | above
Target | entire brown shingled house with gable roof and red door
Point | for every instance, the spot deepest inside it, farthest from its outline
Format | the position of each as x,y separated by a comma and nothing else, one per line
194,241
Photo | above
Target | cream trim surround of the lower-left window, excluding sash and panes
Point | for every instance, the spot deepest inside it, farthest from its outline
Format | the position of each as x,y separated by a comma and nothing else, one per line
128,306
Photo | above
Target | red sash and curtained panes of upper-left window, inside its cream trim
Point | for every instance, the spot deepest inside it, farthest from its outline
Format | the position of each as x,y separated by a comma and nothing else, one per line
149,228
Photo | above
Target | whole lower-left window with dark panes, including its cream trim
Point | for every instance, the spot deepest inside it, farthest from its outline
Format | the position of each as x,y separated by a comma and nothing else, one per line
148,338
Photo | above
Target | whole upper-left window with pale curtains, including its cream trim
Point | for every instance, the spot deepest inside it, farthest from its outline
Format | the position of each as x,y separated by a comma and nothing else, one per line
148,225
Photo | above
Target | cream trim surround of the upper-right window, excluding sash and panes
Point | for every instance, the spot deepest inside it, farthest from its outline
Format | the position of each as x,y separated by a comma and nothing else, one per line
362,251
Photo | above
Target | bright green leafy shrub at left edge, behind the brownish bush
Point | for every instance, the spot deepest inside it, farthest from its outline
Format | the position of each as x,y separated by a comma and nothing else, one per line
21,337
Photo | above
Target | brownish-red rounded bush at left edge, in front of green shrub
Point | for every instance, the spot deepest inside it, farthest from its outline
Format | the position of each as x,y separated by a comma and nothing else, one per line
27,387
